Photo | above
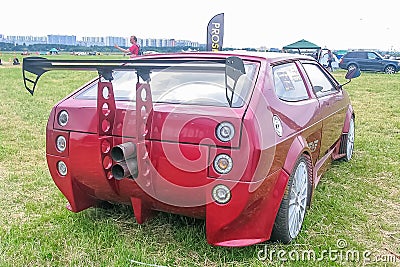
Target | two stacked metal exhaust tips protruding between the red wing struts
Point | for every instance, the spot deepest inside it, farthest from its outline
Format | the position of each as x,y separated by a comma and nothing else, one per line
125,156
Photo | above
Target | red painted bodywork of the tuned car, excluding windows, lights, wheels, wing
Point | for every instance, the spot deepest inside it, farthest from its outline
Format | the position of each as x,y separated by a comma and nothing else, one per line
180,144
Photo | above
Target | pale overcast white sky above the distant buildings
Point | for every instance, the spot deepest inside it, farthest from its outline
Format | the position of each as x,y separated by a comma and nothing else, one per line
338,24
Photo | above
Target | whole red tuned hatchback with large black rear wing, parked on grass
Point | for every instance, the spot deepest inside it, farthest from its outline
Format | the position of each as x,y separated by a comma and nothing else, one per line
240,140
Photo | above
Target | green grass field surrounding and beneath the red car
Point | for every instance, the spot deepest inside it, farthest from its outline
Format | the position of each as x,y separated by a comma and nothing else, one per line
355,211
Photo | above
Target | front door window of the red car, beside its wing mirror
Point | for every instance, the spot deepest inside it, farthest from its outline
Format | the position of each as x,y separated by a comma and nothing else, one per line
321,84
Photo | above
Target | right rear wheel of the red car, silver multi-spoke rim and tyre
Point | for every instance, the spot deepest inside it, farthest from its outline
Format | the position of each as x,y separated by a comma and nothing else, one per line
291,213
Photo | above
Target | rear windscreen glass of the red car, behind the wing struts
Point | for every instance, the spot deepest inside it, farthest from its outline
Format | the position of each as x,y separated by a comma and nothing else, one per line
178,85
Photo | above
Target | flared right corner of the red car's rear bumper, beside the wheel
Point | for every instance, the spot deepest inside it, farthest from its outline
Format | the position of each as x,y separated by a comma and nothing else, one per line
244,222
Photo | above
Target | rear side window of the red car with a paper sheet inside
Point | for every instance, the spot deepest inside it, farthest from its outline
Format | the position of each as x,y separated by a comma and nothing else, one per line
289,85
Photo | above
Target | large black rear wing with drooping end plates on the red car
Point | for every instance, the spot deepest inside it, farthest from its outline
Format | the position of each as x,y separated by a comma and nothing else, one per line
34,67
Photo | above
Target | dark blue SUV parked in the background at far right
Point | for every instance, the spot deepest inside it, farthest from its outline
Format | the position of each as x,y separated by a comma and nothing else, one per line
369,61
